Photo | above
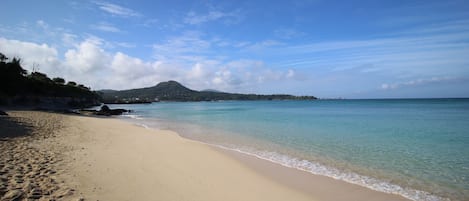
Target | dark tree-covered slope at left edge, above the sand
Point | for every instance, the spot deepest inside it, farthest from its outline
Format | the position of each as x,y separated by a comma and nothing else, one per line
18,87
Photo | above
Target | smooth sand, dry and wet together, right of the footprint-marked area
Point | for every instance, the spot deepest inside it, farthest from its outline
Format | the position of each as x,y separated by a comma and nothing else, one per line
110,159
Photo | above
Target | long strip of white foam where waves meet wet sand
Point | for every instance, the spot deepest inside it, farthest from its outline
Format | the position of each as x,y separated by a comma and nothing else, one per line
350,177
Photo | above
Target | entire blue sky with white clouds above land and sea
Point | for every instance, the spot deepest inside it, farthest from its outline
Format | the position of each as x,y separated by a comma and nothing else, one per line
328,49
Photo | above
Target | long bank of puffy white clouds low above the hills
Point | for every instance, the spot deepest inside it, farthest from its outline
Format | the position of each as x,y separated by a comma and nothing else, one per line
88,62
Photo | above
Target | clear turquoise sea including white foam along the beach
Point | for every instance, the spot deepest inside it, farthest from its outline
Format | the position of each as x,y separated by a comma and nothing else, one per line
418,148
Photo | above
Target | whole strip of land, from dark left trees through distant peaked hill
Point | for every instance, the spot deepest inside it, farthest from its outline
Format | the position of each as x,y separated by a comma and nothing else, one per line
36,89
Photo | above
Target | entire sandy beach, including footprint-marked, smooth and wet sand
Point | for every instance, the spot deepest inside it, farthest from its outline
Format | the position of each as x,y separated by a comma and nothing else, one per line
67,157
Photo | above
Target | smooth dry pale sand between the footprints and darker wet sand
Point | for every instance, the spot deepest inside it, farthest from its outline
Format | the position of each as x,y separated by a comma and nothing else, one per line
115,160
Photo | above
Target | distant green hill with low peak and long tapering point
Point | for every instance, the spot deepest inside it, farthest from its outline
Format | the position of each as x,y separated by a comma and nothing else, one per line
174,91
